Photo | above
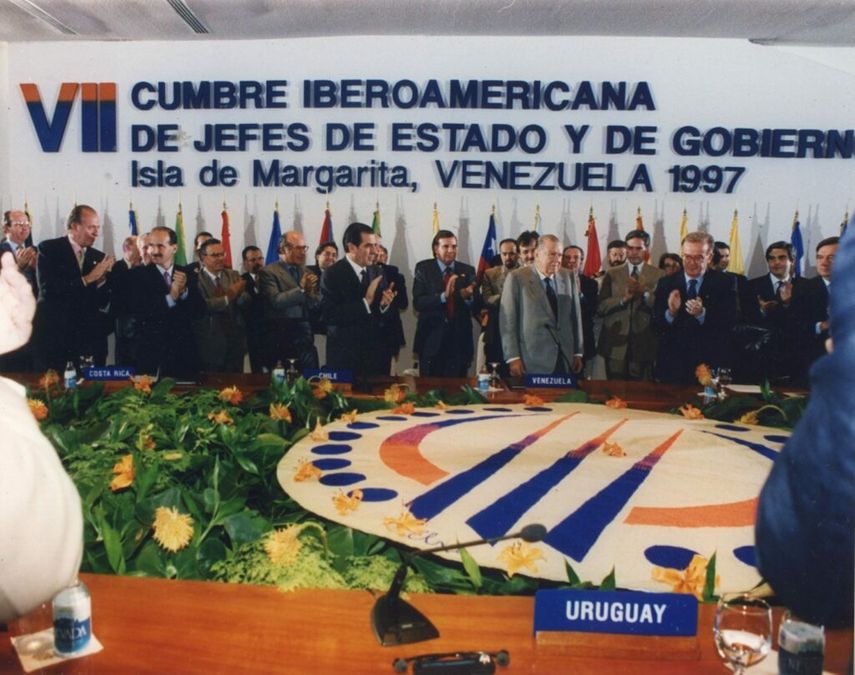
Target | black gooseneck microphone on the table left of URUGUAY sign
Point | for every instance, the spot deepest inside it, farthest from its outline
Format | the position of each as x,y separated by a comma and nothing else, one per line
396,622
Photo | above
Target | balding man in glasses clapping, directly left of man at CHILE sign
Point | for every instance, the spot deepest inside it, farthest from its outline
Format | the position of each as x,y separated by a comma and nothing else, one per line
291,292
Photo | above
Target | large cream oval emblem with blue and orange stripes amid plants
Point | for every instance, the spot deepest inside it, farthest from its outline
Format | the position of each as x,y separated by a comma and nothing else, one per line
650,495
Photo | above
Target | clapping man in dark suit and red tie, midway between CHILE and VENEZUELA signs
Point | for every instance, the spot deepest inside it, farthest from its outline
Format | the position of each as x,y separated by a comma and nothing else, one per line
446,299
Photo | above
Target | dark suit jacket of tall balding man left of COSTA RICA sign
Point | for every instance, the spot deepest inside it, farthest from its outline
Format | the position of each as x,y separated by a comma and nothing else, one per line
71,318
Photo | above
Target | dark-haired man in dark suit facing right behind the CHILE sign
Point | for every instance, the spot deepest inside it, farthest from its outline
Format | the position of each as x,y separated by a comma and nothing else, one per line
354,298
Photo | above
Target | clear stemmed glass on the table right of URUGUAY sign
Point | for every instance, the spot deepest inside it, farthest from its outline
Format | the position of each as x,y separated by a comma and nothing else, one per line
743,630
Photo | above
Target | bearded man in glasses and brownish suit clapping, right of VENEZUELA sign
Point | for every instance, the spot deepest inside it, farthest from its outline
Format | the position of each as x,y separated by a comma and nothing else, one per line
627,340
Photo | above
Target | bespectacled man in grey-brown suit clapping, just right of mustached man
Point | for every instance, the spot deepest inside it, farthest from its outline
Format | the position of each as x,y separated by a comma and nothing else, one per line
221,333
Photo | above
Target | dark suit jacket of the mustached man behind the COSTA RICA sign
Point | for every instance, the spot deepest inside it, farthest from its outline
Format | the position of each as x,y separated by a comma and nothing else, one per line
166,340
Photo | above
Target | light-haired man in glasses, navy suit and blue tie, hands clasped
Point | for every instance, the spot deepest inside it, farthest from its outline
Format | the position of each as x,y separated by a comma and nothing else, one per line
693,312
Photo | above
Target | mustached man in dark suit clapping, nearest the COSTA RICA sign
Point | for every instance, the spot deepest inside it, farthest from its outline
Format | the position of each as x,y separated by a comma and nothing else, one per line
165,300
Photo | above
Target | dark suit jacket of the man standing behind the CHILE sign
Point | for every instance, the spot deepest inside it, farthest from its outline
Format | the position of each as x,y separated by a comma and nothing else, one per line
353,332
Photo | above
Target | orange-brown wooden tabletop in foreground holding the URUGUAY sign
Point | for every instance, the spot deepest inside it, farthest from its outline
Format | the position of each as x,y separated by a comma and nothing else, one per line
169,626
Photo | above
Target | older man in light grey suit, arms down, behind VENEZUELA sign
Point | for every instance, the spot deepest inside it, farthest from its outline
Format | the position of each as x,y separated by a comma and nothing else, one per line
540,315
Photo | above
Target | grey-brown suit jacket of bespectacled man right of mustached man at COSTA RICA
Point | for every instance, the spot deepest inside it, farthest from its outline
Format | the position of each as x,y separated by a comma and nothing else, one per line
221,333
